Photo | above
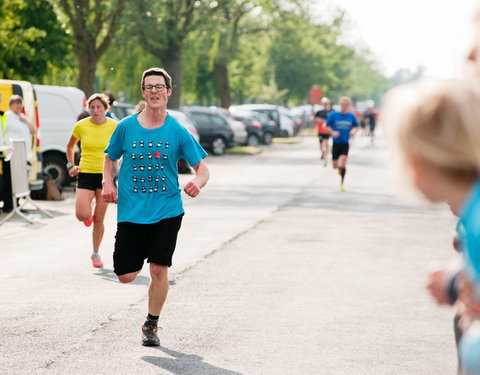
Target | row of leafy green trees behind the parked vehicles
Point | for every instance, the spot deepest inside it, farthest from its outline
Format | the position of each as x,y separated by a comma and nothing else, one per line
218,52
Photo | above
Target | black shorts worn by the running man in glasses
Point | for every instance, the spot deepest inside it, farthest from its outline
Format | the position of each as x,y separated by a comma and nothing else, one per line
136,242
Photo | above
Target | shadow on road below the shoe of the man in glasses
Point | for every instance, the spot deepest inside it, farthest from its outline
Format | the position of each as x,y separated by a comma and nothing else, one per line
186,364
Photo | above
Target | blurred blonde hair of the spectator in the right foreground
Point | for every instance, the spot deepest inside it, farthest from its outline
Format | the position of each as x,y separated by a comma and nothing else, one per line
437,121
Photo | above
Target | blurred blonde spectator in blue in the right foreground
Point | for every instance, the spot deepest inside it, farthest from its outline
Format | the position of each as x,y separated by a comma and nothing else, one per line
435,126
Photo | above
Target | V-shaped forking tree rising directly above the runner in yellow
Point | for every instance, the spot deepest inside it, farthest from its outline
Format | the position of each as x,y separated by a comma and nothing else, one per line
93,25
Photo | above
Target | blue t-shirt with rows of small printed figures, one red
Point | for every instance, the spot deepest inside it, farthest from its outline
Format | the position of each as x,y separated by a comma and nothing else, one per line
148,188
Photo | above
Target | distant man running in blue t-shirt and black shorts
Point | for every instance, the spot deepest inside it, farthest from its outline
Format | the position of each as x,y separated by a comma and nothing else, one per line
341,125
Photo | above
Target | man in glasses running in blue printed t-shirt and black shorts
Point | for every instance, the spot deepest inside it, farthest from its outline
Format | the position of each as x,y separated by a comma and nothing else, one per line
150,207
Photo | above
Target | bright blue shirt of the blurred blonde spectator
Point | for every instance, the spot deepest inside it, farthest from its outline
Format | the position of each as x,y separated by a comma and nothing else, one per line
470,236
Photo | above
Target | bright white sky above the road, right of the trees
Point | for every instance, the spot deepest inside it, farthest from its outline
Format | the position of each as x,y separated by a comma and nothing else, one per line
408,33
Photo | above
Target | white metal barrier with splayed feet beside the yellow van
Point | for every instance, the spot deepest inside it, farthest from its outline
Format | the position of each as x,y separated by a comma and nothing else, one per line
20,186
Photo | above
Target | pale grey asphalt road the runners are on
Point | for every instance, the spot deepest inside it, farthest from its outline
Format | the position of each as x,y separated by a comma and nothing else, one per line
276,272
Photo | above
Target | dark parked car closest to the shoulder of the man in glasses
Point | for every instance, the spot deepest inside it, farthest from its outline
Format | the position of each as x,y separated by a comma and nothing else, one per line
214,131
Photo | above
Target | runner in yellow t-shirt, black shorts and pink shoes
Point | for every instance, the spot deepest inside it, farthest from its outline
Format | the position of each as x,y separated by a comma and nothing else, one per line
93,133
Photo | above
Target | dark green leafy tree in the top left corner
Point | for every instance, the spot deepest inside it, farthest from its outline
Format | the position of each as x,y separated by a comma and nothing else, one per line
30,38
